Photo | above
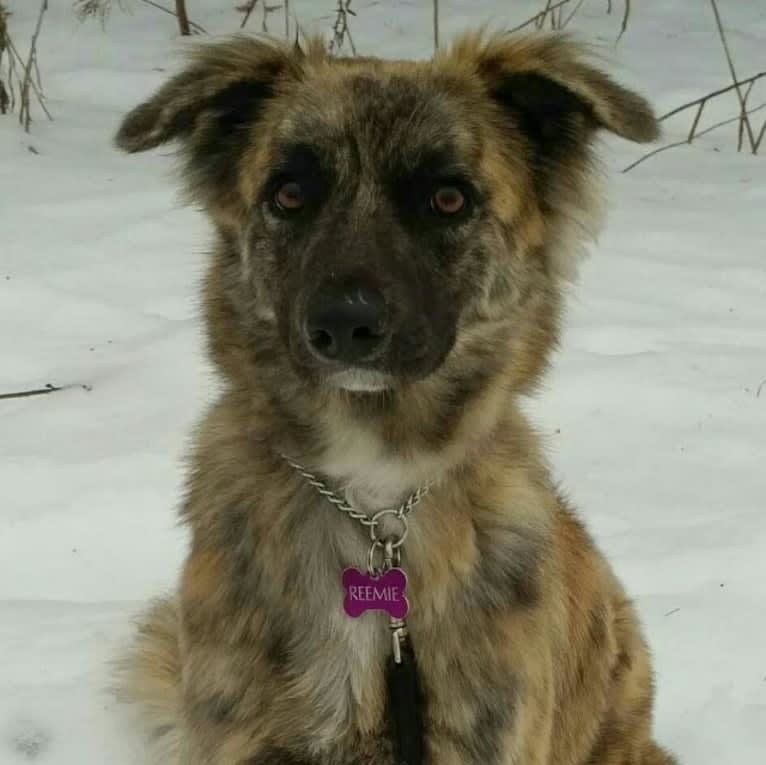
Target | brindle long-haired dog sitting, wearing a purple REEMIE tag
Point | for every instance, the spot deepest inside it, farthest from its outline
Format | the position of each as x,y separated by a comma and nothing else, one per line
393,241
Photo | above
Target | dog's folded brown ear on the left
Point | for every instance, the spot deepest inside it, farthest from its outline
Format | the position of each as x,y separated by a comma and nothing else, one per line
220,93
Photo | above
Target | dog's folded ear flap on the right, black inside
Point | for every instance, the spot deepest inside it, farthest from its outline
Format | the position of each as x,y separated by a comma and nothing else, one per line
555,96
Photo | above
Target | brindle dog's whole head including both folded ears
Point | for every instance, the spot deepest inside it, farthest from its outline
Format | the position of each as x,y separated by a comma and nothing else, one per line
387,223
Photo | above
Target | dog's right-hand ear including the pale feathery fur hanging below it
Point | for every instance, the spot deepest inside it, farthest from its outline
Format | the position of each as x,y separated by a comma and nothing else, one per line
545,89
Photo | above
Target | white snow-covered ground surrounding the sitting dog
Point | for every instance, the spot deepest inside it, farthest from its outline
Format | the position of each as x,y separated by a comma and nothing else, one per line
653,412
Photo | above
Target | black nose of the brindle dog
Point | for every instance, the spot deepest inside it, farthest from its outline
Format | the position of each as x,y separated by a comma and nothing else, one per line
346,324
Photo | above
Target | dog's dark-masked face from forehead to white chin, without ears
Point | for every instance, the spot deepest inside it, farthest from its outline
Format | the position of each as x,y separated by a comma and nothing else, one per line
368,218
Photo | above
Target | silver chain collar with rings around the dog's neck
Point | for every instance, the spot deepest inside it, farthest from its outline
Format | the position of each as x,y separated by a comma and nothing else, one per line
390,545
